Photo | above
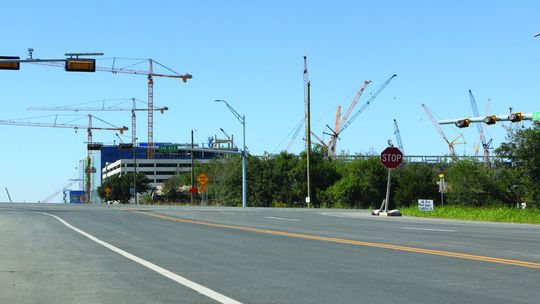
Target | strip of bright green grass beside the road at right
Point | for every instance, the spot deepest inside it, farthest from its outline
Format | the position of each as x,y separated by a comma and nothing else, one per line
488,214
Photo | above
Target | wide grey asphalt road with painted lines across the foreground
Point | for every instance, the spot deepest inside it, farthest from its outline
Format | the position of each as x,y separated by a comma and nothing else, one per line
132,254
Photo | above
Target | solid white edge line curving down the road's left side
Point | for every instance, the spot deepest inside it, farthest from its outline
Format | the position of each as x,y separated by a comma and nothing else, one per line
162,271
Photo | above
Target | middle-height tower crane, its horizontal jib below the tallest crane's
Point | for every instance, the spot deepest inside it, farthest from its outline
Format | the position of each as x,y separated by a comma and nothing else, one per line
133,109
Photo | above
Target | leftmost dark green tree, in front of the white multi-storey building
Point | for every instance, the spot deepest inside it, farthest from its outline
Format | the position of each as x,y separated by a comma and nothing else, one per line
120,185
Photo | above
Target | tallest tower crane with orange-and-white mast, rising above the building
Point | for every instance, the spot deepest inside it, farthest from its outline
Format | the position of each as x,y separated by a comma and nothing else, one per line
150,76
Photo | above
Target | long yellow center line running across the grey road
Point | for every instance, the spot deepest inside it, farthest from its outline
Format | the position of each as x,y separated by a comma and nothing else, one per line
458,255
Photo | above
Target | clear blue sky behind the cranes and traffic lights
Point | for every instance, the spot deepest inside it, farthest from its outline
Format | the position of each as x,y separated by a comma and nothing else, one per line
250,53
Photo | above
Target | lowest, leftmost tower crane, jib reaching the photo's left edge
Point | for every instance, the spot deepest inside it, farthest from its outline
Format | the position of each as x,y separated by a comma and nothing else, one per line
89,168
